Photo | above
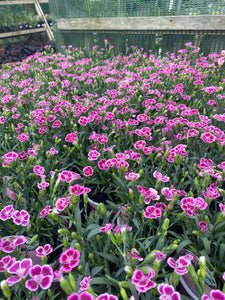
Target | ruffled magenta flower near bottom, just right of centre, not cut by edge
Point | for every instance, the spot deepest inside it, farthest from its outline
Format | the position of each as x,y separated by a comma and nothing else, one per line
143,281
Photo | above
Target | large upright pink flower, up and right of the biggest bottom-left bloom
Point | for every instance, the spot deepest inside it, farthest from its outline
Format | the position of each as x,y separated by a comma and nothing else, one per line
70,259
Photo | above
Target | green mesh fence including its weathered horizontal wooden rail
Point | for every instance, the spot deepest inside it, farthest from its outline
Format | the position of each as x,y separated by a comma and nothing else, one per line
157,25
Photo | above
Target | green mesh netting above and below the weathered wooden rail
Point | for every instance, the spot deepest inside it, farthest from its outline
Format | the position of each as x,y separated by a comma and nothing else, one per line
157,41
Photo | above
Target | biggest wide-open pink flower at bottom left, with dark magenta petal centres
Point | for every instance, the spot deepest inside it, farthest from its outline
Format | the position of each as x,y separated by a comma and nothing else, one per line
40,275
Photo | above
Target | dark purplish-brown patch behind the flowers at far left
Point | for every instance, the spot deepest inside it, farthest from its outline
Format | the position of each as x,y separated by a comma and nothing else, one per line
18,51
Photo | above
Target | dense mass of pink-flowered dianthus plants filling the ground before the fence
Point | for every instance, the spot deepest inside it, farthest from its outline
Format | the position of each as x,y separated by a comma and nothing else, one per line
141,135
